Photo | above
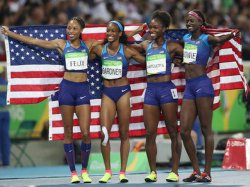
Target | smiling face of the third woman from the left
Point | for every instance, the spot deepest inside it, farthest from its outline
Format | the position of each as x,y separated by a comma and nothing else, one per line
156,29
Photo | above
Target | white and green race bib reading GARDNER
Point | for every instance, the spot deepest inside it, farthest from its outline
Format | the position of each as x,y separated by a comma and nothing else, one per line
111,69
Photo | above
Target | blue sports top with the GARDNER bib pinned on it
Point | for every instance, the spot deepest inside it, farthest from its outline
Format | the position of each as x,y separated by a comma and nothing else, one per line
116,66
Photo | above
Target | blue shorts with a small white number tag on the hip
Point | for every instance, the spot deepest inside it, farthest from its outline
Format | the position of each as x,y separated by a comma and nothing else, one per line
160,93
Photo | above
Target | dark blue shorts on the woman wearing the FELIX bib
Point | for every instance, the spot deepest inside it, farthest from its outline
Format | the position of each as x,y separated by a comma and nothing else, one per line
73,93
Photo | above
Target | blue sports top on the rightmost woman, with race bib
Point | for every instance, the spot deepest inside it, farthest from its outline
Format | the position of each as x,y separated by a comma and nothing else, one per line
196,51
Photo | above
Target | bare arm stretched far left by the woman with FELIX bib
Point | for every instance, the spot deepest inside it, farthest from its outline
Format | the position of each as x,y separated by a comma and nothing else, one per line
51,44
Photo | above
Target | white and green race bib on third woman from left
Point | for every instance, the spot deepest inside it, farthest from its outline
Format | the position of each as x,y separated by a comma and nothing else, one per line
156,64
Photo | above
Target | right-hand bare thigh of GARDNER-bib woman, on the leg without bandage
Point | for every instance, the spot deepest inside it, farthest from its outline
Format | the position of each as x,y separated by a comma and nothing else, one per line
124,111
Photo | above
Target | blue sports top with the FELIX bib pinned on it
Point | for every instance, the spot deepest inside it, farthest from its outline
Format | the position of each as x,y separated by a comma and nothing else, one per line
76,60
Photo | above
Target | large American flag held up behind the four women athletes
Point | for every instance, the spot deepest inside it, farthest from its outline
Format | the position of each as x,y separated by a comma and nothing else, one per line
34,74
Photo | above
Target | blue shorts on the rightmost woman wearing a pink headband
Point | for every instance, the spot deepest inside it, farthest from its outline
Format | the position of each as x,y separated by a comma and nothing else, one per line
198,87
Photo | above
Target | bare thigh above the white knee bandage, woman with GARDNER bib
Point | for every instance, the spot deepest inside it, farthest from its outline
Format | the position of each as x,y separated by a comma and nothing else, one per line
108,112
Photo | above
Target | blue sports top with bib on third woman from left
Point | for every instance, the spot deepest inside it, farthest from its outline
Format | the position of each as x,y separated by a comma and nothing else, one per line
158,60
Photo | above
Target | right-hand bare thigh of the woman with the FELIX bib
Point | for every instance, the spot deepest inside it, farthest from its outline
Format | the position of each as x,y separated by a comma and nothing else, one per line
83,115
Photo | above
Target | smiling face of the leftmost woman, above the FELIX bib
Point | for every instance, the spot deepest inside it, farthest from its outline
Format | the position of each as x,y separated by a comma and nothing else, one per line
74,30
